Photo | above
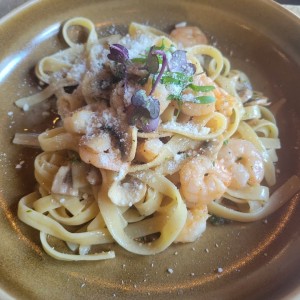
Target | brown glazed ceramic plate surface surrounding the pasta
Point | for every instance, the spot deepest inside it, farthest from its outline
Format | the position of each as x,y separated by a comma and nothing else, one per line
259,260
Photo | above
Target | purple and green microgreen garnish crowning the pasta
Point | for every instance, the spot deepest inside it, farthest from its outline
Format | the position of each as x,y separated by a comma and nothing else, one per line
175,72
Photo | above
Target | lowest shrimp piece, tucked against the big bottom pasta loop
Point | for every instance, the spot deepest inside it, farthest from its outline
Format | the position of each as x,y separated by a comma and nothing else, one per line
194,226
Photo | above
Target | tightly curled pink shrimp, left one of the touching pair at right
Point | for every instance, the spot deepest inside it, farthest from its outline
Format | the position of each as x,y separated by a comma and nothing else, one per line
202,181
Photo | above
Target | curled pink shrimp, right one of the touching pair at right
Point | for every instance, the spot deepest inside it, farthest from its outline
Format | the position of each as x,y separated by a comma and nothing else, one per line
243,161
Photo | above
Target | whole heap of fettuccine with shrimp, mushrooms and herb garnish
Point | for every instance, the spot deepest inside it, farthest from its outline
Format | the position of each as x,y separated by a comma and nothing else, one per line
157,132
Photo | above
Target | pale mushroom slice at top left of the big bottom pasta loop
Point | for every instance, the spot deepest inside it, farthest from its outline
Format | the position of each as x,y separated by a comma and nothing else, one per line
127,192
